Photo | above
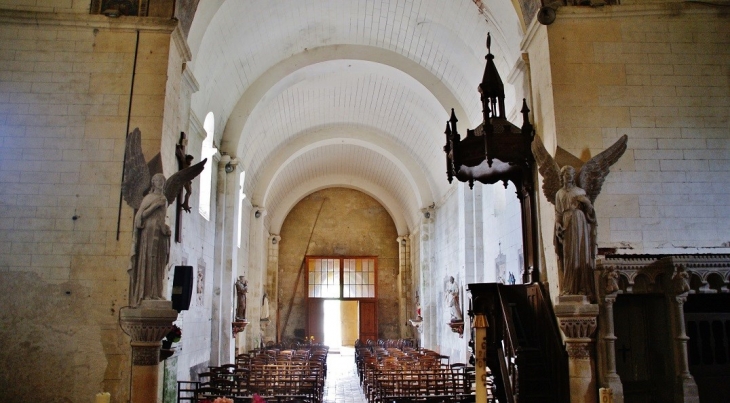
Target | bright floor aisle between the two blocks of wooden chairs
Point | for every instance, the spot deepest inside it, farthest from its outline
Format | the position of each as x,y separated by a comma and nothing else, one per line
342,384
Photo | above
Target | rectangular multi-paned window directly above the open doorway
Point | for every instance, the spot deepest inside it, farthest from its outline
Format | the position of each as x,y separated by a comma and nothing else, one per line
346,277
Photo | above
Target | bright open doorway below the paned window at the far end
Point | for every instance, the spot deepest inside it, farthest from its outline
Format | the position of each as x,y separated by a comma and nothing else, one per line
340,323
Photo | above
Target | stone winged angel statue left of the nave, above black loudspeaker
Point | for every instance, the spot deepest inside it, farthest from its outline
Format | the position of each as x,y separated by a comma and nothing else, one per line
147,191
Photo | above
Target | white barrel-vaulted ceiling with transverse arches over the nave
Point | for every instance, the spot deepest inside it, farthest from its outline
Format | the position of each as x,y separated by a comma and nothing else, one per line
313,94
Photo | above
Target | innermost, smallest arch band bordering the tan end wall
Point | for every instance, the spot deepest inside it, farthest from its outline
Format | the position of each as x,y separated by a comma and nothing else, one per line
278,213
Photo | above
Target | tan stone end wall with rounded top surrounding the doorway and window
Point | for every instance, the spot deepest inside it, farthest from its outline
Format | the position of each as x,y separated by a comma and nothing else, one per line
351,223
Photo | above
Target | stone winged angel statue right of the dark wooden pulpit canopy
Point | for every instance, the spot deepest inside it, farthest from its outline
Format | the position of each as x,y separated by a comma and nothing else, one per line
573,192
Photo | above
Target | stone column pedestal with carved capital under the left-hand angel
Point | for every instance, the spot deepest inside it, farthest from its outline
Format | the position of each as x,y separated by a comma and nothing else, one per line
147,325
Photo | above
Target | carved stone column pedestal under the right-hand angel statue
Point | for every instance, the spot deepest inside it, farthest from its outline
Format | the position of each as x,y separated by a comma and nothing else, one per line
577,319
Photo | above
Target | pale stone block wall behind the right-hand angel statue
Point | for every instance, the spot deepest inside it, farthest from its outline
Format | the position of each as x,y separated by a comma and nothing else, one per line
658,73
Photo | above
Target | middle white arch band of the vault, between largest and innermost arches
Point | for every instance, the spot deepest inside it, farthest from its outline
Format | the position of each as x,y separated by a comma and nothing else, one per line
366,137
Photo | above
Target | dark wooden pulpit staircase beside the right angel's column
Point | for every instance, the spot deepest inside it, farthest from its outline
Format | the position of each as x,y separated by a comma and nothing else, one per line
524,349
